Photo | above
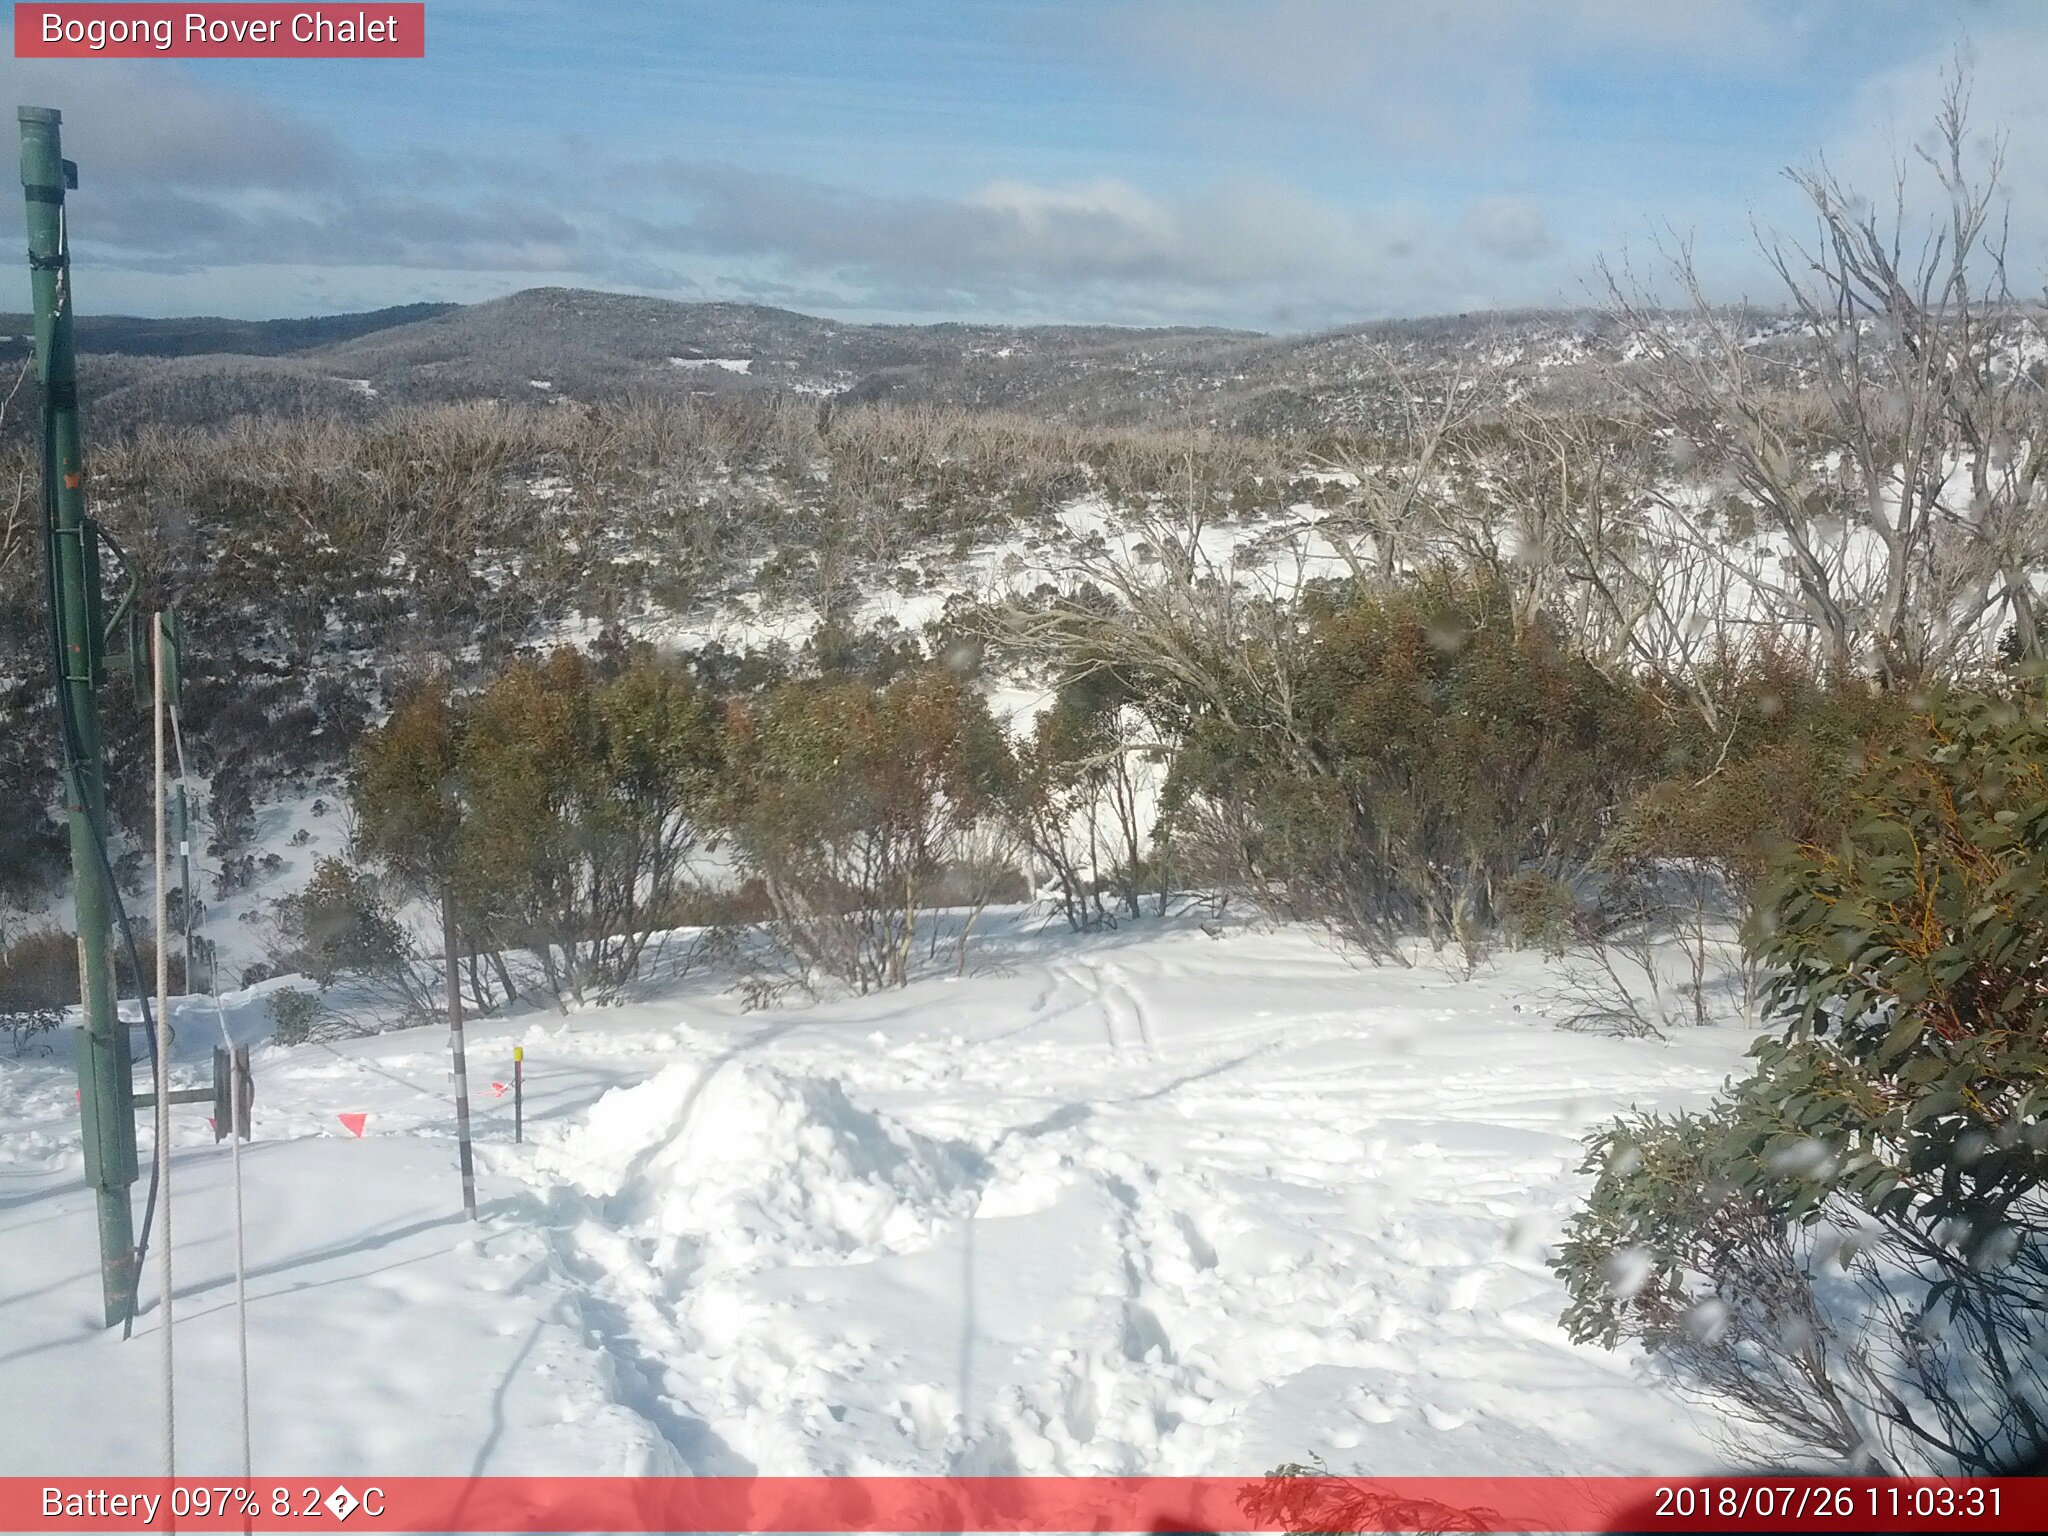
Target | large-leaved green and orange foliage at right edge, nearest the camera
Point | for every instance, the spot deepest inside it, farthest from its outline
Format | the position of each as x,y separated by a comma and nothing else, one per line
1906,964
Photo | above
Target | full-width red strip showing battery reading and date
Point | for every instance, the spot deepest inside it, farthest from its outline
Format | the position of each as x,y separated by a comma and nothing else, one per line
1025,1504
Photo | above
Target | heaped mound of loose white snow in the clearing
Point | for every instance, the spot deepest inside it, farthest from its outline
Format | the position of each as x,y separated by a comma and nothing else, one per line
744,1164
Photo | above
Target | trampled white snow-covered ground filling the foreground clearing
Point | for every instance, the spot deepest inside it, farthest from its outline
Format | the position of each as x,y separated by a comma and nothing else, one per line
1158,1201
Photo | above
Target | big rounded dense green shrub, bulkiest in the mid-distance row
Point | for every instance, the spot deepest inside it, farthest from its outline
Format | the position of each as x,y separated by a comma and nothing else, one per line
1437,749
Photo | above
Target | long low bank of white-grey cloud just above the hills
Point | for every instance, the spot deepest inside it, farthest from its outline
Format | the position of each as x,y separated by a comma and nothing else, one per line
1103,249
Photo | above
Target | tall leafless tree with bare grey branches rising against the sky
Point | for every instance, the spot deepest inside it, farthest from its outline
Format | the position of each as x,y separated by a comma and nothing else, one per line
1869,476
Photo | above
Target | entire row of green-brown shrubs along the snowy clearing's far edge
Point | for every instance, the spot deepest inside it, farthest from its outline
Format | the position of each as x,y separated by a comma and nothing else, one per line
1414,761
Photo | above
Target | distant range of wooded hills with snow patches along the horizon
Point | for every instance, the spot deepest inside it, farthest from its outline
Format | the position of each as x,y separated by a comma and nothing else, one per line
577,345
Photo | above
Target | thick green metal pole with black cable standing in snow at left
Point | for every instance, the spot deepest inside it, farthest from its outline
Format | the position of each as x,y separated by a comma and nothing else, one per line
105,1074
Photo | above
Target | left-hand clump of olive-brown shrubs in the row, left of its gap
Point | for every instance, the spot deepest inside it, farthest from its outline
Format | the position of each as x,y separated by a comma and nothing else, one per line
558,816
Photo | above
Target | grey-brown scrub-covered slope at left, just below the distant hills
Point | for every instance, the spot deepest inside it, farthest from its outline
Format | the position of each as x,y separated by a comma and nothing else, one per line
321,562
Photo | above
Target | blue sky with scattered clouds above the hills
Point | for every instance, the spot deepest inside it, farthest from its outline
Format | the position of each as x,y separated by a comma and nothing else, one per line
1273,165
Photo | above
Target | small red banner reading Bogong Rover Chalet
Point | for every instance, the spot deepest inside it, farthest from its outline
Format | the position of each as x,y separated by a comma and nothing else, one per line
220,32
